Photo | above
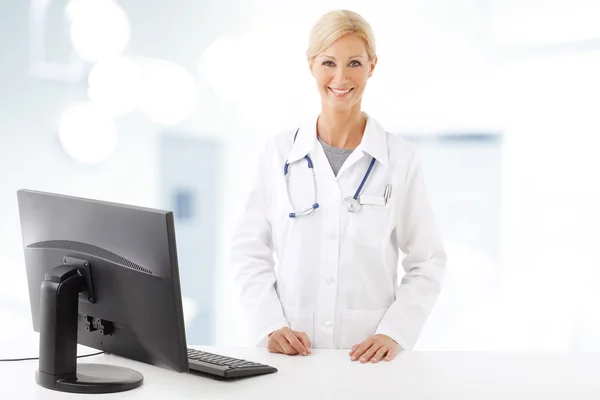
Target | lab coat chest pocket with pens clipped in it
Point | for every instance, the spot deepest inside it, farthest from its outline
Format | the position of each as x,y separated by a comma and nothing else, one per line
369,225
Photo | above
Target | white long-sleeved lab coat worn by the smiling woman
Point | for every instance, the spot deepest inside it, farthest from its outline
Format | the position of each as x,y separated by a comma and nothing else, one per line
337,272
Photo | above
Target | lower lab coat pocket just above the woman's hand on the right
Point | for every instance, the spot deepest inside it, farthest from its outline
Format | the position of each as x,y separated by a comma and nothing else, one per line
358,325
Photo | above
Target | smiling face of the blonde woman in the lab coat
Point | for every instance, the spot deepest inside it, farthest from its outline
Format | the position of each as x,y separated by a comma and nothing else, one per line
341,72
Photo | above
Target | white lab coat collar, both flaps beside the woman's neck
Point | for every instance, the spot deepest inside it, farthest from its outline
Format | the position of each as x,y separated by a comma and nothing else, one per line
374,141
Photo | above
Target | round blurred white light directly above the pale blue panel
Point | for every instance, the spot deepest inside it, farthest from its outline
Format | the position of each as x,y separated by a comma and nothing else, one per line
168,91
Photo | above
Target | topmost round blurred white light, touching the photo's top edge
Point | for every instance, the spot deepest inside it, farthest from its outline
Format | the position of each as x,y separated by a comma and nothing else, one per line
99,28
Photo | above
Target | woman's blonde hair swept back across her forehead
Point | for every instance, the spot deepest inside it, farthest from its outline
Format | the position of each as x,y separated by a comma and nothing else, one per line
335,24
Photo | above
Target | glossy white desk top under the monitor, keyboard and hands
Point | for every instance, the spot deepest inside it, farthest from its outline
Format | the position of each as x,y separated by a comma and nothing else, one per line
329,374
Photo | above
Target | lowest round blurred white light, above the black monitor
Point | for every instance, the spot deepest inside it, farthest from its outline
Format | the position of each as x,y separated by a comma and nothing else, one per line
87,135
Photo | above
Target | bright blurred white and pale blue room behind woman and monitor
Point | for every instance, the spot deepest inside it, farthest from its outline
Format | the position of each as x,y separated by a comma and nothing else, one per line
165,103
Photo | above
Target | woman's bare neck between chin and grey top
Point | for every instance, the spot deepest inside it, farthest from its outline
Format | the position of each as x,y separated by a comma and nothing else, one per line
341,129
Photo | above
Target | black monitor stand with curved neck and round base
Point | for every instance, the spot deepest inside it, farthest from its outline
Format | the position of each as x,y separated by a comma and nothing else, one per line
59,311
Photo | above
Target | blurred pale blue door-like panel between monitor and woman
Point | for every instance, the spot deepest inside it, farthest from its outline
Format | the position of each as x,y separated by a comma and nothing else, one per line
189,186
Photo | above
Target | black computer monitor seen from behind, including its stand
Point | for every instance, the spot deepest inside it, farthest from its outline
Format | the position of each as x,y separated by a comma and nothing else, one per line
103,275
